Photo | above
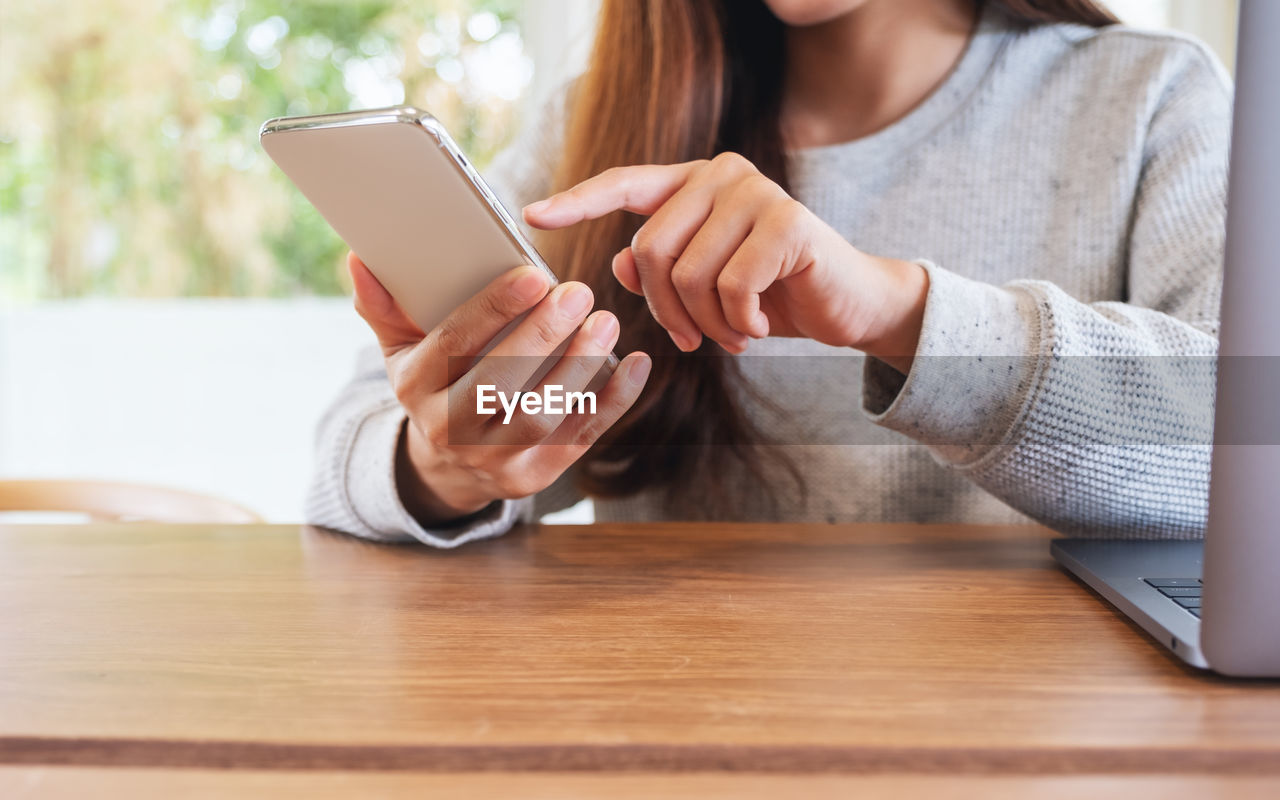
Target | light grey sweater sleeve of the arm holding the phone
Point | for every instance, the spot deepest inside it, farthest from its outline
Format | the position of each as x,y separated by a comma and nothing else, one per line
354,478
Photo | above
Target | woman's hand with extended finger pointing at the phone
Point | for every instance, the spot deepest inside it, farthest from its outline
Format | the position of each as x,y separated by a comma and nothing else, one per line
729,255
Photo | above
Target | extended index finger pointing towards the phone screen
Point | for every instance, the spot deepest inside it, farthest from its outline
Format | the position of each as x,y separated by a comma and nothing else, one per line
641,190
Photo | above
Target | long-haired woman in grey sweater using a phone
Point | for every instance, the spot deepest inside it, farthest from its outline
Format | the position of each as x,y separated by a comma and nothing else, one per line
1013,208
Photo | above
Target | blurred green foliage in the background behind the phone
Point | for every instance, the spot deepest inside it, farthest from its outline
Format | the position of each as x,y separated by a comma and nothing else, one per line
129,143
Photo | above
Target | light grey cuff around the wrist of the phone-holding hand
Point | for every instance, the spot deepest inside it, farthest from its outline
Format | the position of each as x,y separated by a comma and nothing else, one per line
376,500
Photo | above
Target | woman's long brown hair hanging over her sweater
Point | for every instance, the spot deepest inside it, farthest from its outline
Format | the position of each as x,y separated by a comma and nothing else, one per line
674,81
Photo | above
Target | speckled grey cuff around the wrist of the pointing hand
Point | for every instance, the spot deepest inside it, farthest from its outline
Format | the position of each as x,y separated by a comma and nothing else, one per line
973,373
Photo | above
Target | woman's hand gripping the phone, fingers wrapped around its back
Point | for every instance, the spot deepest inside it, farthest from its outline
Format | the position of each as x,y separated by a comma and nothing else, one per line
452,461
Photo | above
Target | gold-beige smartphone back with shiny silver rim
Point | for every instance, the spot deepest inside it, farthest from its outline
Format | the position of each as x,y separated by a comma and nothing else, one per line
403,196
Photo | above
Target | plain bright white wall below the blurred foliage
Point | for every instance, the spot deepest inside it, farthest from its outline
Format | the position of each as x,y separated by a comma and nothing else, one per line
216,396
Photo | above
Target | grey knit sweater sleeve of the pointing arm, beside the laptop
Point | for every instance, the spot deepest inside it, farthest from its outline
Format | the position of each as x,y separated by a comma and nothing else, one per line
1095,419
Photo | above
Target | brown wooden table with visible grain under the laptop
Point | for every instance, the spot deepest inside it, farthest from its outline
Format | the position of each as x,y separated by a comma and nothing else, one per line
643,659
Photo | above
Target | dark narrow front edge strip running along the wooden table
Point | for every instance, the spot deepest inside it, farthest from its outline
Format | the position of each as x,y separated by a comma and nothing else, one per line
231,755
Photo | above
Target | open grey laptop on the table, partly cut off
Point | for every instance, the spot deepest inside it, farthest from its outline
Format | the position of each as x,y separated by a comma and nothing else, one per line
1217,604
